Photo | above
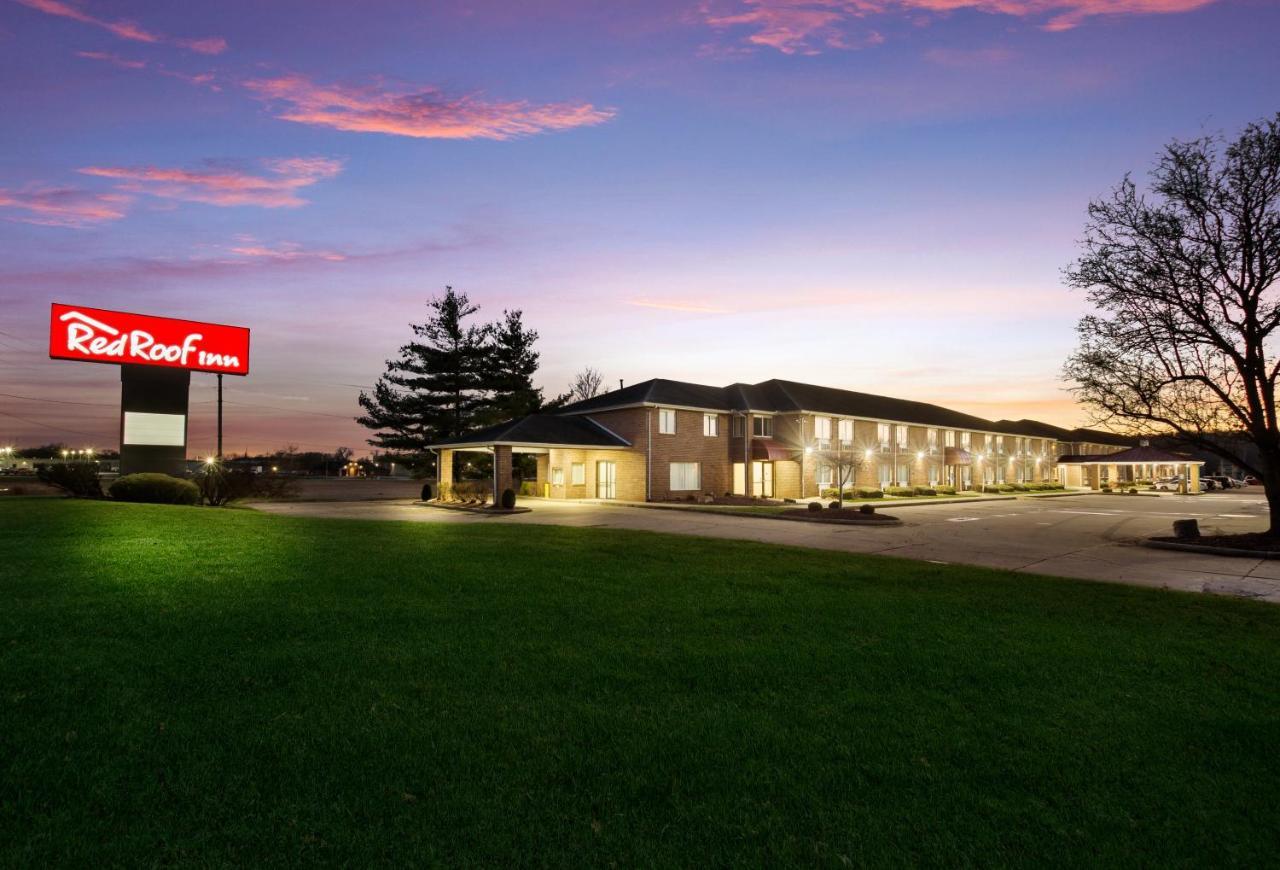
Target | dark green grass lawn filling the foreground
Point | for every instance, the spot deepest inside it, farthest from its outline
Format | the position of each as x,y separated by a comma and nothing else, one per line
200,686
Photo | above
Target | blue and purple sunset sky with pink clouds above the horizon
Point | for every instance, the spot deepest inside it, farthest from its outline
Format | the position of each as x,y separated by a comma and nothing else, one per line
875,195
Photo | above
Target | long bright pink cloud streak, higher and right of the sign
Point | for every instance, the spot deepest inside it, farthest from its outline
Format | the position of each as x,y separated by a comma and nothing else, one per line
422,113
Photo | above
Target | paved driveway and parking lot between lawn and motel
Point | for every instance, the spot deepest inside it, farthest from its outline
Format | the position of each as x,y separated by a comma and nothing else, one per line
1085,537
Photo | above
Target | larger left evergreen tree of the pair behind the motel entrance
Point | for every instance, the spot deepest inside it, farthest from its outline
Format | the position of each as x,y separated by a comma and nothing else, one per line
436,388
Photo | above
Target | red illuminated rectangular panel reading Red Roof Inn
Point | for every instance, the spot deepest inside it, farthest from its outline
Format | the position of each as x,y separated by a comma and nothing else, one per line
97,336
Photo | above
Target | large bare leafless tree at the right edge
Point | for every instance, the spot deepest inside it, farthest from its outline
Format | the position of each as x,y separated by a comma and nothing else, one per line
1185,280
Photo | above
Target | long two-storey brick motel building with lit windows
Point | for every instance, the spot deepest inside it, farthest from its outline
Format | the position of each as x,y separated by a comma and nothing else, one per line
671,441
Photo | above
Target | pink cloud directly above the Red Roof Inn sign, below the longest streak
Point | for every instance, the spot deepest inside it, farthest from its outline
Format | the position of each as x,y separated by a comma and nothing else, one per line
226,186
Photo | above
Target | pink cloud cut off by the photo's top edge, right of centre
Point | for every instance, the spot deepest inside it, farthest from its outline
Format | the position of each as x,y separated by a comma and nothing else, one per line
811,26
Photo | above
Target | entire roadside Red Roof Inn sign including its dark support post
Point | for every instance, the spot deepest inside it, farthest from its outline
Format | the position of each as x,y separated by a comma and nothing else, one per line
157,358
